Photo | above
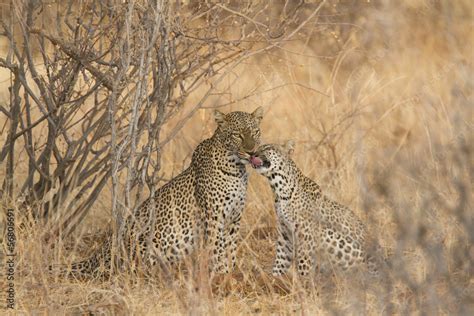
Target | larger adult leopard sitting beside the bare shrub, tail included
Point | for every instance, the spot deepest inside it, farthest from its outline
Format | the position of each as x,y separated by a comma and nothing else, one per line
205,201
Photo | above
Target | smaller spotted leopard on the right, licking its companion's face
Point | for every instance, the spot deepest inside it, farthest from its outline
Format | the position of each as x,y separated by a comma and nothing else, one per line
310,226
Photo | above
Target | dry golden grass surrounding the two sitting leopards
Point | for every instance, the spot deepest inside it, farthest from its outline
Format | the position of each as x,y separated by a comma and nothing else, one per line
391,135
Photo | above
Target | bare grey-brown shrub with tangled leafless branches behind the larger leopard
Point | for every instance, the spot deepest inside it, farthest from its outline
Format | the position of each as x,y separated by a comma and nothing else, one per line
99,79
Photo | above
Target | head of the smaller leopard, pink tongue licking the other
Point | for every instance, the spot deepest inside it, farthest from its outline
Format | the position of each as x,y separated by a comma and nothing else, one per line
272,157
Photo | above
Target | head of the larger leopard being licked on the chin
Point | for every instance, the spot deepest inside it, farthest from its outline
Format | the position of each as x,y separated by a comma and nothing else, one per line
239,131
